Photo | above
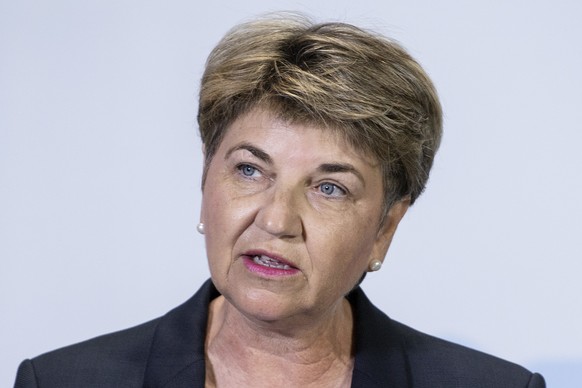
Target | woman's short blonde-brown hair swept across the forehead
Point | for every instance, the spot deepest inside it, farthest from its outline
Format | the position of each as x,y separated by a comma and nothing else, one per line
332,75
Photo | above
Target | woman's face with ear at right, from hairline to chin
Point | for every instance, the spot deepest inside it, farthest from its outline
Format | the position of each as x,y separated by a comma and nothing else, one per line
291,216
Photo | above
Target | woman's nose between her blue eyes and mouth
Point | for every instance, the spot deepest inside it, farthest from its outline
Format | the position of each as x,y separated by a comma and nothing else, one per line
279,214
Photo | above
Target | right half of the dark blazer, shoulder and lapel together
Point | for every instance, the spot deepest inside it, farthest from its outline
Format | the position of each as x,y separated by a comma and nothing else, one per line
386,349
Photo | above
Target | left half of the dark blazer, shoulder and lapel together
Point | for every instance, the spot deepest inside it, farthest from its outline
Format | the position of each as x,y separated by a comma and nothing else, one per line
145,355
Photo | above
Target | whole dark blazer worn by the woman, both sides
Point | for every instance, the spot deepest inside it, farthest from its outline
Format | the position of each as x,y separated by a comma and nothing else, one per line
169,352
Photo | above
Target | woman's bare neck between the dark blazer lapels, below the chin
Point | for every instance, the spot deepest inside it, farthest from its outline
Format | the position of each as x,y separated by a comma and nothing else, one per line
312,351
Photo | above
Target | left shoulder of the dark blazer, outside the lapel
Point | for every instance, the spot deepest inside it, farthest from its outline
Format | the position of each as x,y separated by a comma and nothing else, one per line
116,359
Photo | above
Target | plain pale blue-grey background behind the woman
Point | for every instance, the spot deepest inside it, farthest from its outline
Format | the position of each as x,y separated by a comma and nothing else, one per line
100,166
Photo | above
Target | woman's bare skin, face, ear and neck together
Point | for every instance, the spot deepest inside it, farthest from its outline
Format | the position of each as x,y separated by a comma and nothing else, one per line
304,198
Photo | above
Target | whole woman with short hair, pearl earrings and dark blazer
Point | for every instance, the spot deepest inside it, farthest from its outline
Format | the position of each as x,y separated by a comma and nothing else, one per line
317,139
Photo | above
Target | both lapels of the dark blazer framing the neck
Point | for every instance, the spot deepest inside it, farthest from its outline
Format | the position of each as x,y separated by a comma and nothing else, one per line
177,354
